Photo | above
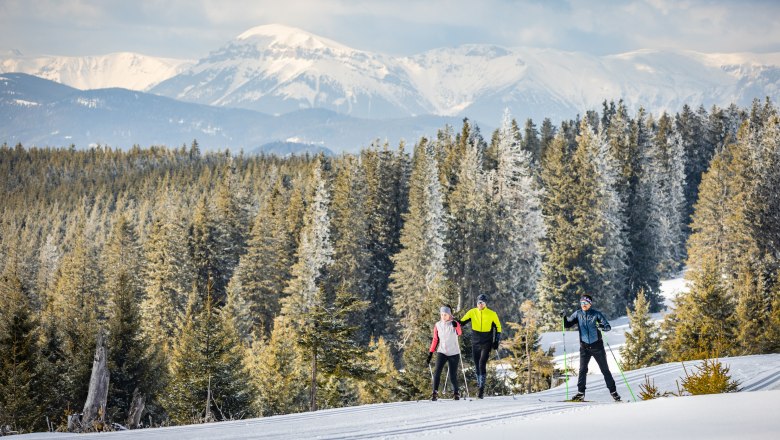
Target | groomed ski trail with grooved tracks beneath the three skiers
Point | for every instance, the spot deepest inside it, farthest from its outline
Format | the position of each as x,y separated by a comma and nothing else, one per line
420,418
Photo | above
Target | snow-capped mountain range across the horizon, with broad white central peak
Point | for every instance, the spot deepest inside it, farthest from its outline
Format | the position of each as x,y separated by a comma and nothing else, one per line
279,70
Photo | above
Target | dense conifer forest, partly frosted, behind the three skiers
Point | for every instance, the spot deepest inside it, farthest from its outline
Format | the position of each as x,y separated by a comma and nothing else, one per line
223,286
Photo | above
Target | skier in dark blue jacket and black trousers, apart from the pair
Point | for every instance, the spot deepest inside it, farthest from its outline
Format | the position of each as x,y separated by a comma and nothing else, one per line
590,321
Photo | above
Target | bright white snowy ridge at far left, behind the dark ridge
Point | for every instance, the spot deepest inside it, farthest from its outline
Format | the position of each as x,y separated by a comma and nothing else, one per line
127,70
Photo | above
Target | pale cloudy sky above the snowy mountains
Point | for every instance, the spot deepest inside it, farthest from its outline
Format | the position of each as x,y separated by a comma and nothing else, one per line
193,28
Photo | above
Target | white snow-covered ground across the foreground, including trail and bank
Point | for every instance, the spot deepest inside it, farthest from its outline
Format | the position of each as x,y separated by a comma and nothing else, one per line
749,414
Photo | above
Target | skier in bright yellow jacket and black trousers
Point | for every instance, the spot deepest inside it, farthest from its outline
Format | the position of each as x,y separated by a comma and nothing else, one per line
485,334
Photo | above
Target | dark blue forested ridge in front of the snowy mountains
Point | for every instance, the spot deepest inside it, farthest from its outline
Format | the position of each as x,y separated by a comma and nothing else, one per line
40,112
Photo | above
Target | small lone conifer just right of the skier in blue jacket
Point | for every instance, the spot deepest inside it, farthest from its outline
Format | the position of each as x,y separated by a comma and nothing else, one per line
643,341
